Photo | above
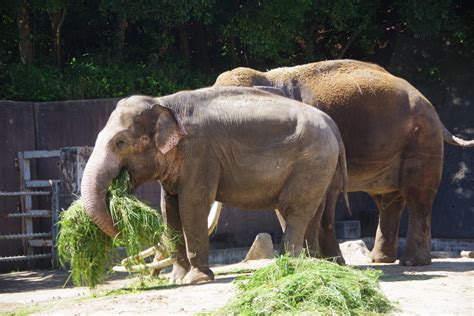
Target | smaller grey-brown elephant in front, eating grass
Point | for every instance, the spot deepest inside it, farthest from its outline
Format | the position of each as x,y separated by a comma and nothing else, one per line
241,146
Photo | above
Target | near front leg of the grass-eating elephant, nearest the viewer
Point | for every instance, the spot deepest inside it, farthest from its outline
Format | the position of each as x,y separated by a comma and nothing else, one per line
194,213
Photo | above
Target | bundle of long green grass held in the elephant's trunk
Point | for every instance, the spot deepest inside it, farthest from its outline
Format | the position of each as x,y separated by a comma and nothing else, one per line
89,251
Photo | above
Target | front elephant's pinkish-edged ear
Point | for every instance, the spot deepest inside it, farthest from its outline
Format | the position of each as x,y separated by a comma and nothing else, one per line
169,129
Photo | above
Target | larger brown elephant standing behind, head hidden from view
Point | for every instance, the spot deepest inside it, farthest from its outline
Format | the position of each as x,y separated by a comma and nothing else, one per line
394,143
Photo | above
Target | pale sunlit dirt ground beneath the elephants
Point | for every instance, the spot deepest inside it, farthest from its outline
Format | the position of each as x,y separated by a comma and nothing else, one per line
445,287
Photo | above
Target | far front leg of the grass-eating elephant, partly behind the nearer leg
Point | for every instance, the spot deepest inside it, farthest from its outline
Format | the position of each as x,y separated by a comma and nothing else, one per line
170,210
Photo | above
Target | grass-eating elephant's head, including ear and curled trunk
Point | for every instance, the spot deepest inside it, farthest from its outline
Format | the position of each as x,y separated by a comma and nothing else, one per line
138,136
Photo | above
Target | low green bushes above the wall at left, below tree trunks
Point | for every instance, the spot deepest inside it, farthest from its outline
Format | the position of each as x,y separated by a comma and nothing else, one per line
85,78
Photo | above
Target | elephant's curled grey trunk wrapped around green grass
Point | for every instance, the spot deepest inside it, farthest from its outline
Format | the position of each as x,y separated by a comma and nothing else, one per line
100,170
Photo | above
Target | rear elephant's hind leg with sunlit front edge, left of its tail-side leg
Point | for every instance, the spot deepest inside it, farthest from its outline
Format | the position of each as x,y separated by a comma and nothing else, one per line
390,207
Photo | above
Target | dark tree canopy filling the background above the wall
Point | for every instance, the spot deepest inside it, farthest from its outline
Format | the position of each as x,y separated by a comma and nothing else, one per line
58,49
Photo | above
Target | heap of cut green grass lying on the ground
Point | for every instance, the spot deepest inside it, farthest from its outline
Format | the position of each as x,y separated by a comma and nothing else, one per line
307,285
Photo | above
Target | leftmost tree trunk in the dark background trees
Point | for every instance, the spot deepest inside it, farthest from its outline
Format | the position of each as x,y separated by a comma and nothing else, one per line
24,33
